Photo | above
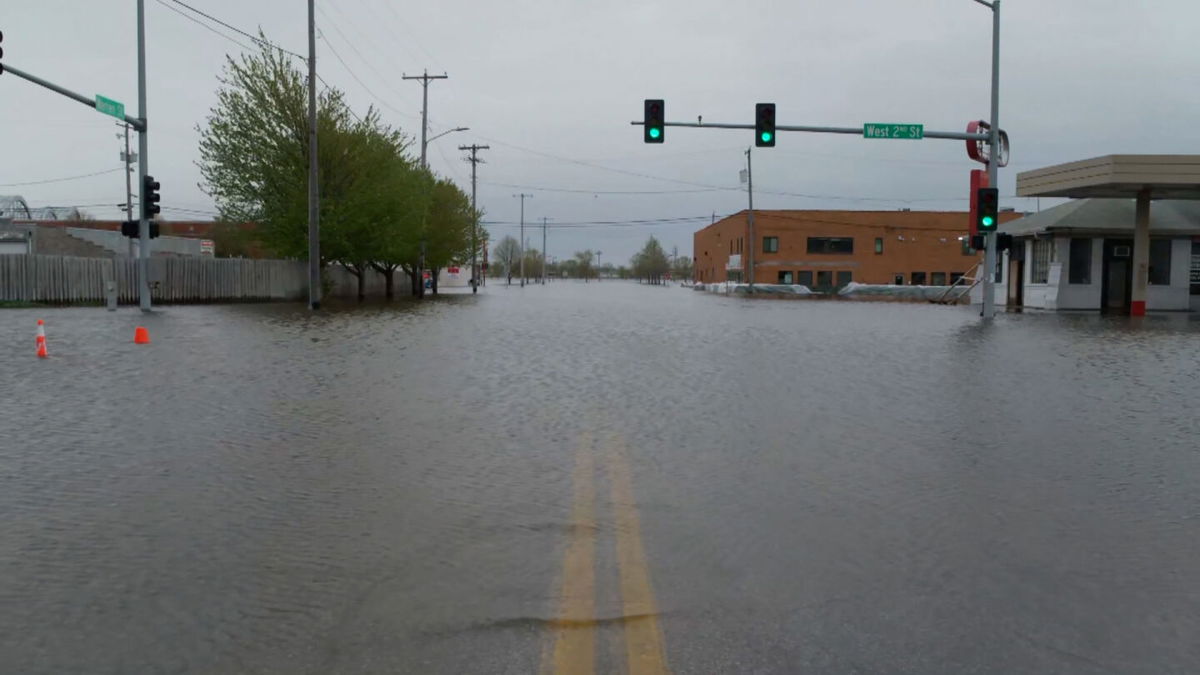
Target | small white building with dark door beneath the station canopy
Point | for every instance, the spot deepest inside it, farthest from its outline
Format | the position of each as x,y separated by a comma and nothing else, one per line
1079,256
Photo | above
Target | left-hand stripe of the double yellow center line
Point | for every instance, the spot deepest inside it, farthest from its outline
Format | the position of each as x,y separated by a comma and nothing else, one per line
575,628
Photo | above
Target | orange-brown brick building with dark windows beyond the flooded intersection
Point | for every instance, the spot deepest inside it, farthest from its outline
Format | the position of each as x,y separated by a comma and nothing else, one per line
827,250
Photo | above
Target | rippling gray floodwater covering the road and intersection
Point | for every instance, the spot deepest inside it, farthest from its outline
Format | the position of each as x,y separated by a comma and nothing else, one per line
599,479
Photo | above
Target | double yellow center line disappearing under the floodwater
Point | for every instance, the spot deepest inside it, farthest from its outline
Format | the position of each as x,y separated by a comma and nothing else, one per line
575,626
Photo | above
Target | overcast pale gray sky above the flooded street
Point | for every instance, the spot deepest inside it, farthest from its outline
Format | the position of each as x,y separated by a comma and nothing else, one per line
553,86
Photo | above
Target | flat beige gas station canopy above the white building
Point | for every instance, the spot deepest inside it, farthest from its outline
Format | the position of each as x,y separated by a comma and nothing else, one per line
1166,177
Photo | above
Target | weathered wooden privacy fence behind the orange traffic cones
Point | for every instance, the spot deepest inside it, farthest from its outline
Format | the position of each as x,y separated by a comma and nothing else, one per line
65,280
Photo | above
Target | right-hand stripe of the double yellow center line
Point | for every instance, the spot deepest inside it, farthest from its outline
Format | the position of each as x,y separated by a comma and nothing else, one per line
644,636
